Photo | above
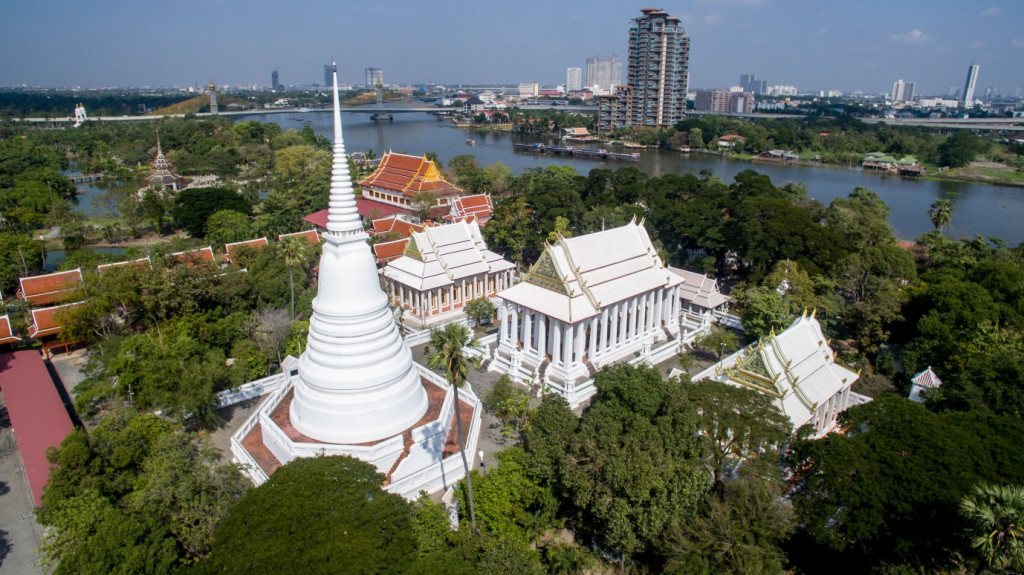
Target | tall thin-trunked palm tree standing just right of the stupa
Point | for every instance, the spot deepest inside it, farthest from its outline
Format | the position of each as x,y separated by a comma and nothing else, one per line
445,352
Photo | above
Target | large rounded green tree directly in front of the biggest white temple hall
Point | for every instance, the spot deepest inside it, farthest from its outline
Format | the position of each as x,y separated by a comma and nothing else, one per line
632,466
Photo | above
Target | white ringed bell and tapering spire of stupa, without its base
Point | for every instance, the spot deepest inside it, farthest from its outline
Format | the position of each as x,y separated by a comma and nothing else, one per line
358,382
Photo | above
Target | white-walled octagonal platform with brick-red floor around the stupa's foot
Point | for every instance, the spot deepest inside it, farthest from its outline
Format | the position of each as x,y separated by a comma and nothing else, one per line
423,458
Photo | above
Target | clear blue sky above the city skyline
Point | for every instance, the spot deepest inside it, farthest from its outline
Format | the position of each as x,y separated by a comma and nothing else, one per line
813,45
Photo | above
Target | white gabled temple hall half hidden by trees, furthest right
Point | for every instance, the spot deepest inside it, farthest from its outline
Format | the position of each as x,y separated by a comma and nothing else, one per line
798,369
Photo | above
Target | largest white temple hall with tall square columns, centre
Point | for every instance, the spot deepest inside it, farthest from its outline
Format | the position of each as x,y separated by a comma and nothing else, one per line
588,302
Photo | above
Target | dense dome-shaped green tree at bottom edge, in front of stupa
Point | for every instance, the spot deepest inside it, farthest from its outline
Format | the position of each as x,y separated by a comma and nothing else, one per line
318,515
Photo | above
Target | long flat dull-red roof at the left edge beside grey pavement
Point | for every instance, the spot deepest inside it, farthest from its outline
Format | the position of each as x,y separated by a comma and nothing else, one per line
38,418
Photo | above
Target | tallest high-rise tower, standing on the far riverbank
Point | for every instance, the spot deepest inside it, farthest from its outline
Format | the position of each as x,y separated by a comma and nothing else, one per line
659,69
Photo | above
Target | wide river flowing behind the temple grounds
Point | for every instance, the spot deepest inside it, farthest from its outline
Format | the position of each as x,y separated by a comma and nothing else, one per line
987,210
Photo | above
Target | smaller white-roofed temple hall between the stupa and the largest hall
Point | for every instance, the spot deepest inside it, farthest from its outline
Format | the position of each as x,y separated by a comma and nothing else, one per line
442,270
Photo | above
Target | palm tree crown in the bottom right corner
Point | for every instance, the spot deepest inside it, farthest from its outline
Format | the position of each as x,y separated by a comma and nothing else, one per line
998,515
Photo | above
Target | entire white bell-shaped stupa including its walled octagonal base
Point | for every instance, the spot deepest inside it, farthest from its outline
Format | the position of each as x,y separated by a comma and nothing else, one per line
357,390
